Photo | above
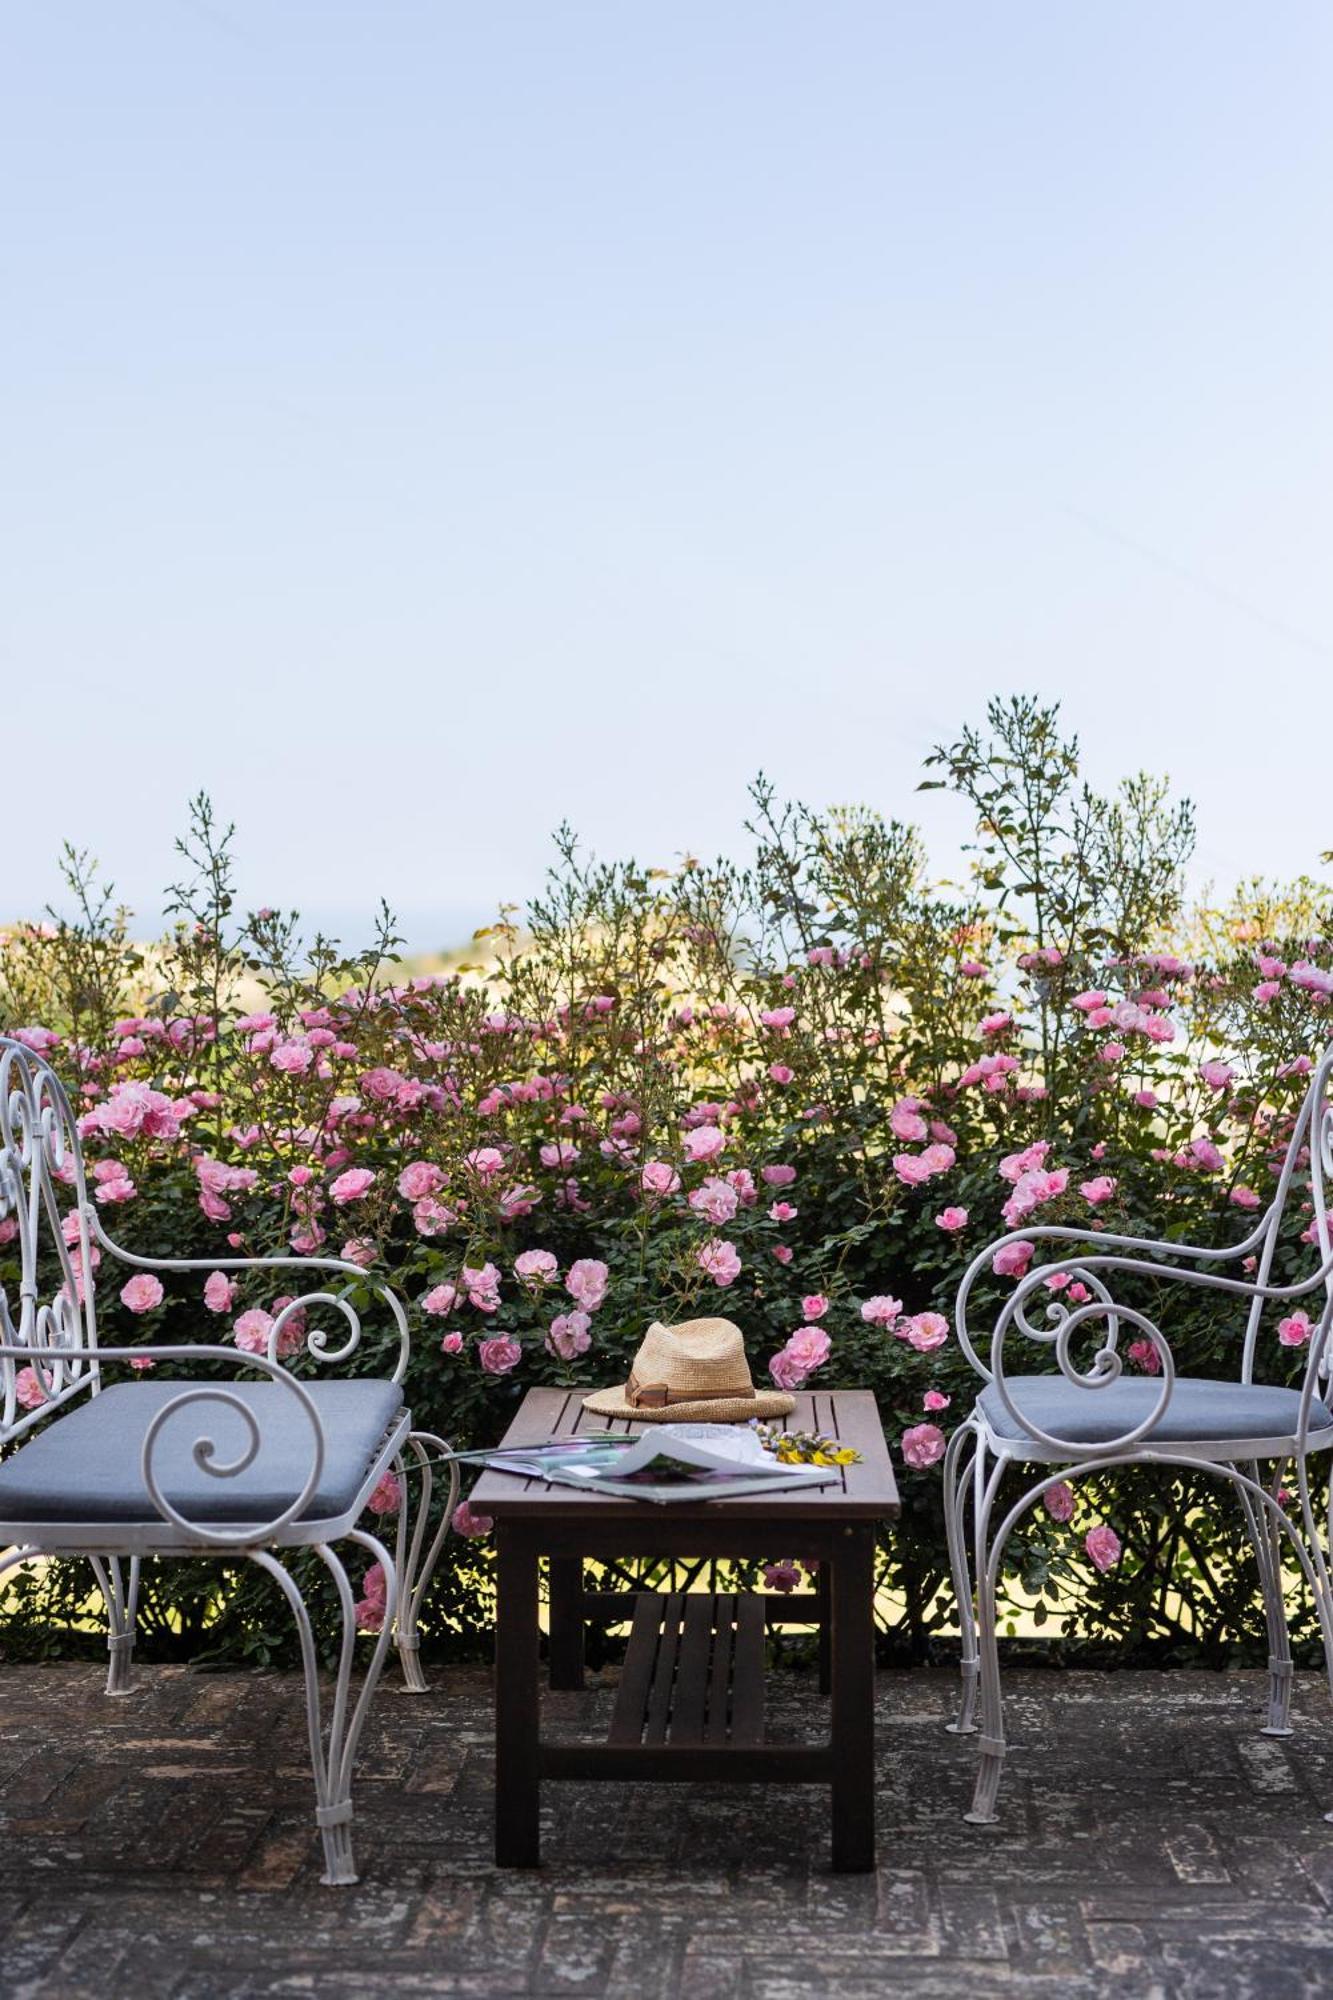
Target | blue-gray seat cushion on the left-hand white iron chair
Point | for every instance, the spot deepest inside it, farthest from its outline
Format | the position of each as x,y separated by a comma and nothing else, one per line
85,1465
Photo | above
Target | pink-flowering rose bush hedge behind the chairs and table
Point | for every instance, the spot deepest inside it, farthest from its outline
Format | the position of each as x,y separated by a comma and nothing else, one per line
804,1093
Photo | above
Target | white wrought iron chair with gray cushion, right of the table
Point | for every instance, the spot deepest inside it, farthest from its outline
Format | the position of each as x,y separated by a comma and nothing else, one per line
1082,1421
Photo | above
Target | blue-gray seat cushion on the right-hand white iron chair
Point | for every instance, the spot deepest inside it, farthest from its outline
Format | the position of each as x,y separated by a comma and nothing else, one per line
1200,1411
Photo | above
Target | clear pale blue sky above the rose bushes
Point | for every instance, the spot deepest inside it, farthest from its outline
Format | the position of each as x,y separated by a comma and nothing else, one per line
425,423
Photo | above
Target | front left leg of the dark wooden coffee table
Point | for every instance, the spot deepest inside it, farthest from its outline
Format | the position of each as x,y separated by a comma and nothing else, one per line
517,1717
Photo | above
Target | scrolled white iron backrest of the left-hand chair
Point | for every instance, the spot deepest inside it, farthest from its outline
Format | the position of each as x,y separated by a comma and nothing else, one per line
45,1219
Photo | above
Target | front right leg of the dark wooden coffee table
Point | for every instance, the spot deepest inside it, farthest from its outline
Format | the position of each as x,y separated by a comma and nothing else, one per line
852,1587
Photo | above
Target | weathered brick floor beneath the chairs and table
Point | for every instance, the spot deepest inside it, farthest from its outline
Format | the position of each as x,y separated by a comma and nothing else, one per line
1154,1845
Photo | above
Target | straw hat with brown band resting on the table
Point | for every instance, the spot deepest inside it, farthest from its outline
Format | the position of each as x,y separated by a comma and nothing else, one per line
692,1373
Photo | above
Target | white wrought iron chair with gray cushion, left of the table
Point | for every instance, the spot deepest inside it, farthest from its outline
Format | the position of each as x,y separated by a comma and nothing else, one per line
117,1469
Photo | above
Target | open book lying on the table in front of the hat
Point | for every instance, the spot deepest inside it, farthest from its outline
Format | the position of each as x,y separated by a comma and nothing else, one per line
665,1463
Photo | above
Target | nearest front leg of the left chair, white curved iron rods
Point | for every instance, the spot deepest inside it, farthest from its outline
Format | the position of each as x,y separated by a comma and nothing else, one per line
333,1747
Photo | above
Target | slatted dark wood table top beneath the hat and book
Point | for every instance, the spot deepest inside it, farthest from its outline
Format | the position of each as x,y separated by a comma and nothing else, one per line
866,1491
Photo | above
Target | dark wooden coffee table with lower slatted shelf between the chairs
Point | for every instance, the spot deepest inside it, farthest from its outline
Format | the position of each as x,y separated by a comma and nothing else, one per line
692,1701
